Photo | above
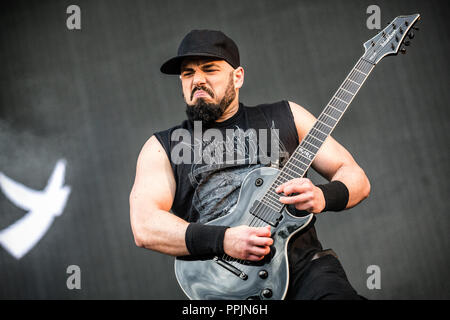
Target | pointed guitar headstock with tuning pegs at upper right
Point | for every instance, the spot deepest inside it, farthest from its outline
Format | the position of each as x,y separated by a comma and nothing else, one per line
389,40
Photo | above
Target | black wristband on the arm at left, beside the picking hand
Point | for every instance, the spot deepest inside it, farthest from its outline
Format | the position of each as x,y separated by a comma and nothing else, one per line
202,239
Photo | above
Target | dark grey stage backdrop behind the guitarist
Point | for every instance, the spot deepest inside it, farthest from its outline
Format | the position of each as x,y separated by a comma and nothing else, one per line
94,96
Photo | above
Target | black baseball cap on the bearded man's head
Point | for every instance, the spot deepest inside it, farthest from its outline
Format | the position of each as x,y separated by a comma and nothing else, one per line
203,43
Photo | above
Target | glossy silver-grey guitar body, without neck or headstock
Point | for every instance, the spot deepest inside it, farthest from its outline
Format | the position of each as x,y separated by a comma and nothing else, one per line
224,277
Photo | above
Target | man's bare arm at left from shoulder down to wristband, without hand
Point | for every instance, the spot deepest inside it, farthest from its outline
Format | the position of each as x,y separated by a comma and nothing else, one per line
151,198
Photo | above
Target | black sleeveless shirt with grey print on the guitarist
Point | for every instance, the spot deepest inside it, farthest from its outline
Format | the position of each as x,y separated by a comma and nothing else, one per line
208,187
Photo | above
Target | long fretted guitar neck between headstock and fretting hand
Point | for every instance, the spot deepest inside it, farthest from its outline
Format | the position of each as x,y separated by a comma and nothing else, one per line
304,154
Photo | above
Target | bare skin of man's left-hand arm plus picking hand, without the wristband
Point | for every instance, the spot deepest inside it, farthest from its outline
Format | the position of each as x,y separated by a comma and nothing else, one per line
155,228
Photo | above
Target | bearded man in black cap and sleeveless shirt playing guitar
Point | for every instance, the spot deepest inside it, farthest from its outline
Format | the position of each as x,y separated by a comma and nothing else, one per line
197,192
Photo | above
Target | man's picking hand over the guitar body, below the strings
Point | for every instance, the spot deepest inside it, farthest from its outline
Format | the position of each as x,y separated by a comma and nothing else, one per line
247,243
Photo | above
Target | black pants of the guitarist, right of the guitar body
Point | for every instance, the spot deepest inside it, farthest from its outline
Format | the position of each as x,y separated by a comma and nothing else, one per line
321,279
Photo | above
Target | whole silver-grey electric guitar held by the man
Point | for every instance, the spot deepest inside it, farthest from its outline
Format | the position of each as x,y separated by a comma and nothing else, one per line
225,277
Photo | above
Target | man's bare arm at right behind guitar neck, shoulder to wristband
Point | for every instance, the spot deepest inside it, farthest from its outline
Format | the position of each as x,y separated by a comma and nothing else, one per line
333,161
